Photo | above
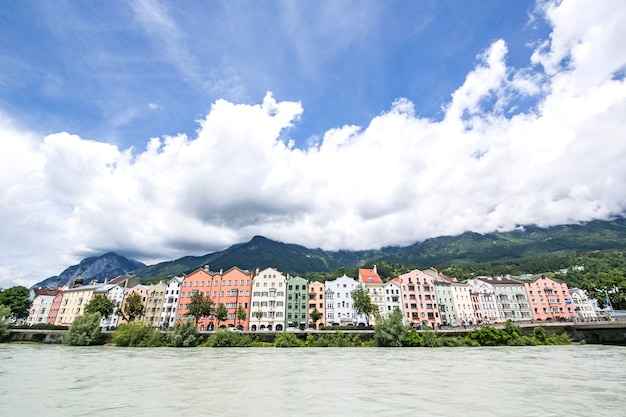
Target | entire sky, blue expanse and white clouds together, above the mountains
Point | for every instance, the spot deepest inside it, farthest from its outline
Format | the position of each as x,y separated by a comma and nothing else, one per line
161,129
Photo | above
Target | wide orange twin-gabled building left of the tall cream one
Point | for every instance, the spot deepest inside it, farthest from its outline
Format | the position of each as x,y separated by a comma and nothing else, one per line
231,288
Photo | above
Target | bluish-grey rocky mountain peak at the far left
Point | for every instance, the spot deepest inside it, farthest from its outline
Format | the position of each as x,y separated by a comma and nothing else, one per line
109,265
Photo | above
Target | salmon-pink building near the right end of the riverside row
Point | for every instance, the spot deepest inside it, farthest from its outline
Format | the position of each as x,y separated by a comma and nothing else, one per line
549,299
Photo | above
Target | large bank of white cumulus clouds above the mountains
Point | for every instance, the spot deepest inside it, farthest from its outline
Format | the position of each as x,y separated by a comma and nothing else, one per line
485,166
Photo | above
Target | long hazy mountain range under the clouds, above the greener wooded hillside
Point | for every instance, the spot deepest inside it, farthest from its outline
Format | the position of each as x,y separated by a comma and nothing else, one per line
261,252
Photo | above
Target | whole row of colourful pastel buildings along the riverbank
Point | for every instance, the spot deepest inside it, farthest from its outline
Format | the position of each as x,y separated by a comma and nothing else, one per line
275,301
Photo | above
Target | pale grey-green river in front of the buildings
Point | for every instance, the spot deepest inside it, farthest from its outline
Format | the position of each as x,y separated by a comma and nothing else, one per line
56,380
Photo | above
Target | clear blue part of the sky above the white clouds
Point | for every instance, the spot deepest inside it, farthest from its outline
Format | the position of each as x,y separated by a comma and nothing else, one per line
123,72
